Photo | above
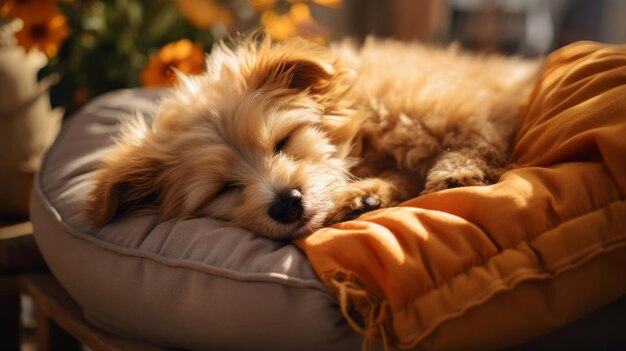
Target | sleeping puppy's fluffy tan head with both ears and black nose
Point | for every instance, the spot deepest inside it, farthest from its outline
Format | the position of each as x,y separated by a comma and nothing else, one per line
260,140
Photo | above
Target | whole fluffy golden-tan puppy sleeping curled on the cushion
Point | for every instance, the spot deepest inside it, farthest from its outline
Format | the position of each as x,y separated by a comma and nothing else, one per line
284,138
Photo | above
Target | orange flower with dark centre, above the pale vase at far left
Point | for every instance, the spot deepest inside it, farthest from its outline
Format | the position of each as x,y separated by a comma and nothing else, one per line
45,30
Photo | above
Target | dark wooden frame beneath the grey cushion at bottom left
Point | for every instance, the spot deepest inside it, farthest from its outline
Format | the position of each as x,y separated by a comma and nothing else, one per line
60,321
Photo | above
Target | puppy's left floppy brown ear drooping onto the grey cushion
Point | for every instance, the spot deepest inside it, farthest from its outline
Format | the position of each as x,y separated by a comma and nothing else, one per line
127,180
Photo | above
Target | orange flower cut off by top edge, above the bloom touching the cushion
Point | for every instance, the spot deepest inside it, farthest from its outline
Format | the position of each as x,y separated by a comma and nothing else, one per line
205,13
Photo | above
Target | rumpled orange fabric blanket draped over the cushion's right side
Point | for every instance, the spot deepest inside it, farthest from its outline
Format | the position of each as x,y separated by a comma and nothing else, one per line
493,266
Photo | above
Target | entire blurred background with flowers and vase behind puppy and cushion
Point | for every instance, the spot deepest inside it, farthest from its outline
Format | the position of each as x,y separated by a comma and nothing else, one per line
56,55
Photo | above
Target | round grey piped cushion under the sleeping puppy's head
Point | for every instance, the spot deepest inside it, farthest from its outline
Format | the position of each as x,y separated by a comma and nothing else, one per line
195,284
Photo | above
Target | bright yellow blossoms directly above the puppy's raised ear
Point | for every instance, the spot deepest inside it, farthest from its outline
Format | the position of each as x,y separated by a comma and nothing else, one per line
298,21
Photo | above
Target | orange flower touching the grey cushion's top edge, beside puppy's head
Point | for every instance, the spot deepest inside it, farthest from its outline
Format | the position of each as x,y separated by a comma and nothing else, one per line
182,55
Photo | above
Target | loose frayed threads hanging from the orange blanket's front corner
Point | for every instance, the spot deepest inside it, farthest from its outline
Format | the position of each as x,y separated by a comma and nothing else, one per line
373,311
